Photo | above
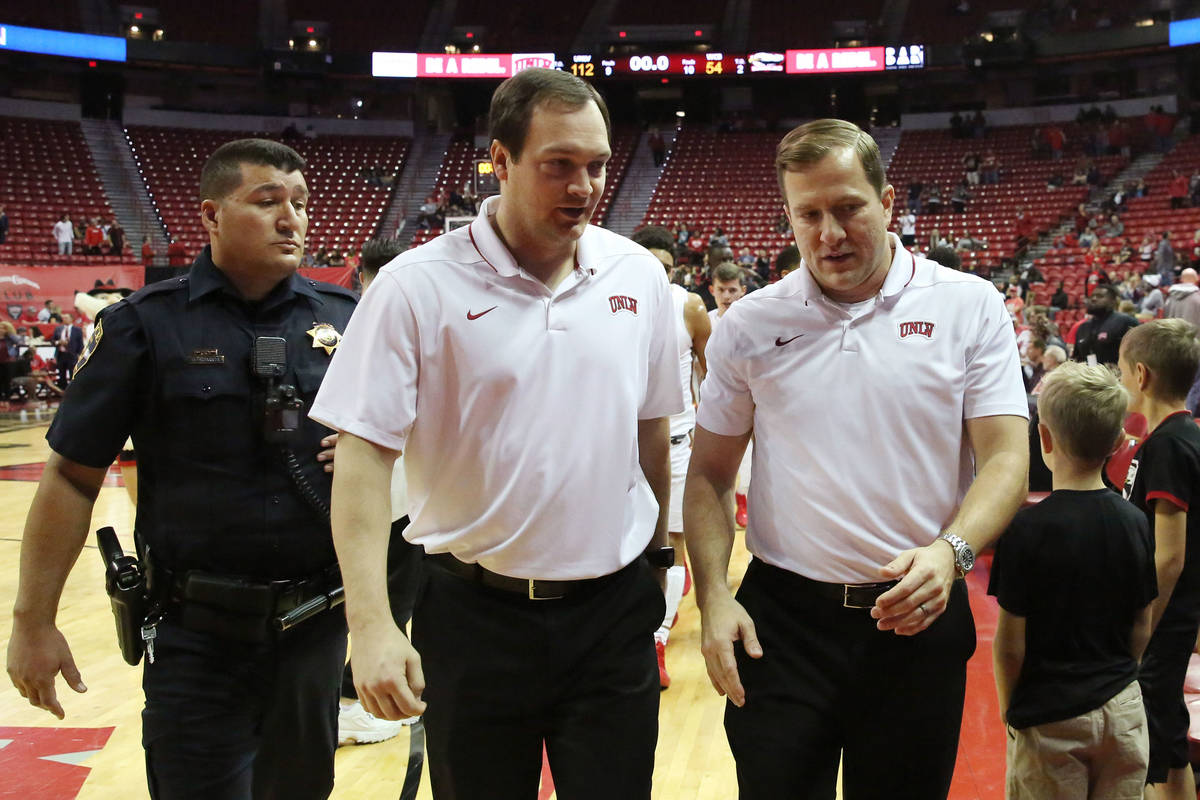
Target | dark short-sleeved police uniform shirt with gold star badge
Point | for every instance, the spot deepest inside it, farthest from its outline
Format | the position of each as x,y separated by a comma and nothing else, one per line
171,366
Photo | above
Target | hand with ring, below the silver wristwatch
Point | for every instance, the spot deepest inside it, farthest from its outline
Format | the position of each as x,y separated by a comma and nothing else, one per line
926,575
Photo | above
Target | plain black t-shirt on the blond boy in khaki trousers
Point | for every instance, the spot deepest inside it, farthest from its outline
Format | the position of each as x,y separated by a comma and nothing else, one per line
1077,567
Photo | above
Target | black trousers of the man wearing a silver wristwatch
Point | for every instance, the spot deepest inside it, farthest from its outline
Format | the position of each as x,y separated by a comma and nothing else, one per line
831,684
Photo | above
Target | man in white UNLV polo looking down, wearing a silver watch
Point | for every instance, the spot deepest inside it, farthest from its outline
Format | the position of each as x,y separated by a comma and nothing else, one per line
886,400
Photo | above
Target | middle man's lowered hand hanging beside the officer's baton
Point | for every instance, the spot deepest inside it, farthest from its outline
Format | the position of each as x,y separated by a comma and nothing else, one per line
388,675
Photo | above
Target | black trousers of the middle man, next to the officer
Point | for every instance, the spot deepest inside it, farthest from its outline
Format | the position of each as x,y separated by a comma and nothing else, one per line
507,675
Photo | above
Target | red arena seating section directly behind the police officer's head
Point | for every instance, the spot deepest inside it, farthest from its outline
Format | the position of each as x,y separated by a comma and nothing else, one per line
346,210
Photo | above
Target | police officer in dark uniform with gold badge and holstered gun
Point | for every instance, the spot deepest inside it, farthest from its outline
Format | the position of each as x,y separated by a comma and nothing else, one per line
208,374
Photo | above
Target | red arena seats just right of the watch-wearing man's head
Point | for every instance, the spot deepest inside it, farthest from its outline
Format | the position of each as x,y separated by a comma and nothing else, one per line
937,158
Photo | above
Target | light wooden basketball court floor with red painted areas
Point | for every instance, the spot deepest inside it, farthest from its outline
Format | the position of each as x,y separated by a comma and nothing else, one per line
97,755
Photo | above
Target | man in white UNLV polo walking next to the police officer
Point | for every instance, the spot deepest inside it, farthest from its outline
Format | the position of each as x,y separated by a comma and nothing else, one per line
526,366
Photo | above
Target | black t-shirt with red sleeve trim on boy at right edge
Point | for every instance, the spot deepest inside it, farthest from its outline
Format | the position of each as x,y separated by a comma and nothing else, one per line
1167,467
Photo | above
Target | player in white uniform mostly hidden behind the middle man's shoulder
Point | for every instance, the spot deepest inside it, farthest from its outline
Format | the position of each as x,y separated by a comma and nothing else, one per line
692,330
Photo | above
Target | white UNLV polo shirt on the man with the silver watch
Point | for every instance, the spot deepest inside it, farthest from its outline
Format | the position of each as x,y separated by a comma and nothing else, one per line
861,450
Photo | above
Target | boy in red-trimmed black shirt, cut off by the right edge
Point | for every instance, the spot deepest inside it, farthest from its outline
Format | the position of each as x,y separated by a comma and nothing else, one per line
1159,363
